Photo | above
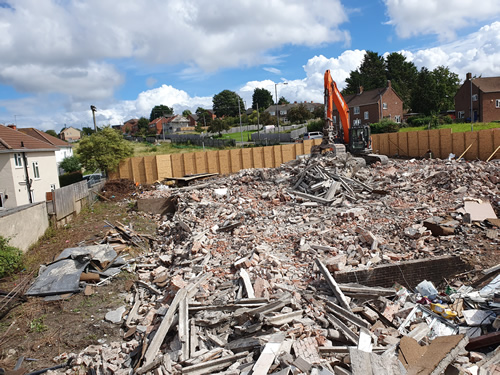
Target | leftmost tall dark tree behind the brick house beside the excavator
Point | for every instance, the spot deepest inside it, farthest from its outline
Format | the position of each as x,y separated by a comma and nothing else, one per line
371,74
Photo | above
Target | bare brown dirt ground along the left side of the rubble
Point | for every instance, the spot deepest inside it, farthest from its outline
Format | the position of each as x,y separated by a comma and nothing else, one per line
40,330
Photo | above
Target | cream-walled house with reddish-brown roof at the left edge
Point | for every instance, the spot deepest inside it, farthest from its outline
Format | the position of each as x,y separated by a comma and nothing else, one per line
28,168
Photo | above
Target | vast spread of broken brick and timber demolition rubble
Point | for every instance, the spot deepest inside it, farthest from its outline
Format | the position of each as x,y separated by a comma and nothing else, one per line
241,276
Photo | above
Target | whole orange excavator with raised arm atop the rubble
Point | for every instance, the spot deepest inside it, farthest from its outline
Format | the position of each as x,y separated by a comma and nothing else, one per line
341,136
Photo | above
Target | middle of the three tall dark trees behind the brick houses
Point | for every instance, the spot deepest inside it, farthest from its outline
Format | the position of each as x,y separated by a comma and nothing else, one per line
403,75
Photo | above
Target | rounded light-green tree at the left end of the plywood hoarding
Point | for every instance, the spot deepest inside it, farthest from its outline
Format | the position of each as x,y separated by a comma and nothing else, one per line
103,150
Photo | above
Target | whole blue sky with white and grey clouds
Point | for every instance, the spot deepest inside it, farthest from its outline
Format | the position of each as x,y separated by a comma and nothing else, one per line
59,57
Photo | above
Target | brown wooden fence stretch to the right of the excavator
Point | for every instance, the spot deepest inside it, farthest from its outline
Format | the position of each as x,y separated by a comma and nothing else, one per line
441,142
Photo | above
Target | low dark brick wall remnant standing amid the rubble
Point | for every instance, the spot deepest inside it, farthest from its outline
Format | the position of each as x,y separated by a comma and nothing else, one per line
408,274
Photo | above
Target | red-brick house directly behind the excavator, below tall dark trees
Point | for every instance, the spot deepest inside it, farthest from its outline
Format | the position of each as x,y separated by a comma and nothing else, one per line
371,106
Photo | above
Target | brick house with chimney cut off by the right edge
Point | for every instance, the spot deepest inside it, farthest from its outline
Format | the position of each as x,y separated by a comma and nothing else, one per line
479,99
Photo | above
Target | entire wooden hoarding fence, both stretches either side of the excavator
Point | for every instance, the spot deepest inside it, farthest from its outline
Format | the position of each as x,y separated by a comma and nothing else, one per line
442,142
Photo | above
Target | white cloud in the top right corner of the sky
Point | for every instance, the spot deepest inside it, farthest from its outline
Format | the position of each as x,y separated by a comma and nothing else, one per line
439,17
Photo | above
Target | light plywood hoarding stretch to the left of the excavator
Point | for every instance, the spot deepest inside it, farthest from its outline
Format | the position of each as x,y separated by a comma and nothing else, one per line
148,169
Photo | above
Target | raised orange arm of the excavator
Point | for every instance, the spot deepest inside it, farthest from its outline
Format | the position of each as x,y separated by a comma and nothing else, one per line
333,97
